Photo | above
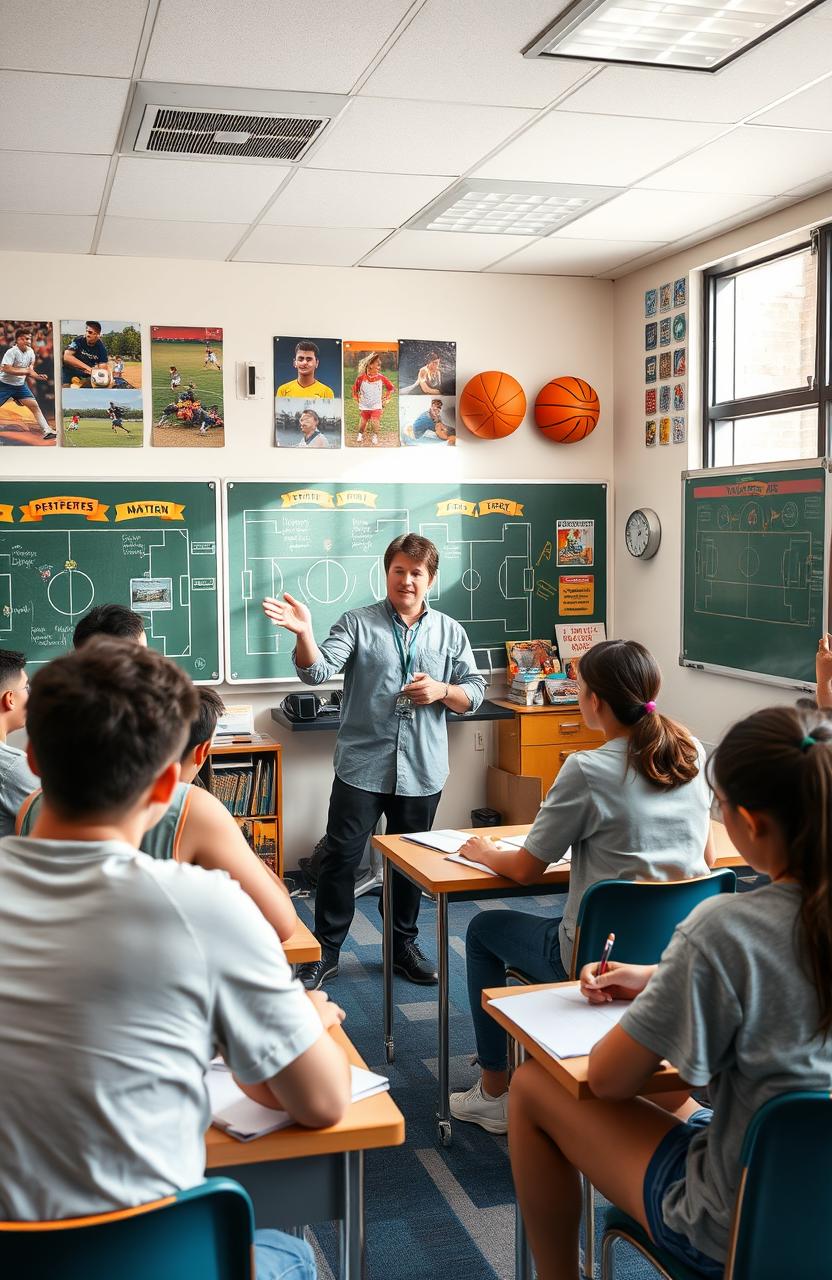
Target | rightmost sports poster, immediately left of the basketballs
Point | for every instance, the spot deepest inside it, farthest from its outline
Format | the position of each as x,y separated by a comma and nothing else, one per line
428,392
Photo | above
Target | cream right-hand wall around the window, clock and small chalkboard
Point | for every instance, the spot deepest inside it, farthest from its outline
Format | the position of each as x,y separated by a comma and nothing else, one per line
648,596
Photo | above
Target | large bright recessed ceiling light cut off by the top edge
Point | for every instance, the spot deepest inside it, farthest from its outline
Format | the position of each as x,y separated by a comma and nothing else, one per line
688,35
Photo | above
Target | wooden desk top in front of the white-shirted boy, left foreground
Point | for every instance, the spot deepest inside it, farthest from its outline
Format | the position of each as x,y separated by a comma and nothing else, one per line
373,1123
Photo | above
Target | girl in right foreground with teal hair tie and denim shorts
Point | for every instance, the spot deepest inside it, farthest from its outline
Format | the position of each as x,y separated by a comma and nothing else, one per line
742,1002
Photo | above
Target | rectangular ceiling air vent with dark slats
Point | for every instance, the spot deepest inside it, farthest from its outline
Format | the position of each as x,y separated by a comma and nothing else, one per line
227,135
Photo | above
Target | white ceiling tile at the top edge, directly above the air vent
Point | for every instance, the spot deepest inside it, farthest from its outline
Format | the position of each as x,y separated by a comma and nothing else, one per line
269,44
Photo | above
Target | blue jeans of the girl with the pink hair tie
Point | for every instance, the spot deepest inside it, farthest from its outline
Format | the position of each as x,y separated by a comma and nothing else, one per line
500,940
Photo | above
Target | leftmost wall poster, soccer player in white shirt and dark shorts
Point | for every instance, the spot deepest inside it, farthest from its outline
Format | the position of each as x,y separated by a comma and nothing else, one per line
28,383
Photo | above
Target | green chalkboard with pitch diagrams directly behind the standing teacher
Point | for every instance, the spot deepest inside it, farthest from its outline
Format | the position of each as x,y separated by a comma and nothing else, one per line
515,559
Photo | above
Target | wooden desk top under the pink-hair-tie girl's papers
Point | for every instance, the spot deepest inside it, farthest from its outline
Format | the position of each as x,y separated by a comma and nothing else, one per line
432,870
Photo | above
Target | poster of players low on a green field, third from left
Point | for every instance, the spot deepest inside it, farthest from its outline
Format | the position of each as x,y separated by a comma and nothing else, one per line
188,387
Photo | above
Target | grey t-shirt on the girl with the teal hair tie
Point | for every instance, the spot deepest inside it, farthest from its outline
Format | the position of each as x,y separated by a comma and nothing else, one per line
732,1007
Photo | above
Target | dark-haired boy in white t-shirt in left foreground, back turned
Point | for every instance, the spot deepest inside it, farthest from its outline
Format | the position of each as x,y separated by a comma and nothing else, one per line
121,977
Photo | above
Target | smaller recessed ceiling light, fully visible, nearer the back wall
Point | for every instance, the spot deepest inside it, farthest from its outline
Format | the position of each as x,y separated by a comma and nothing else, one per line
490,208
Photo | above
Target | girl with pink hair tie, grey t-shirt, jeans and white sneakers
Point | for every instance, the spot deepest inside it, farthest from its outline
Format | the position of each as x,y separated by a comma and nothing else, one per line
636,808
